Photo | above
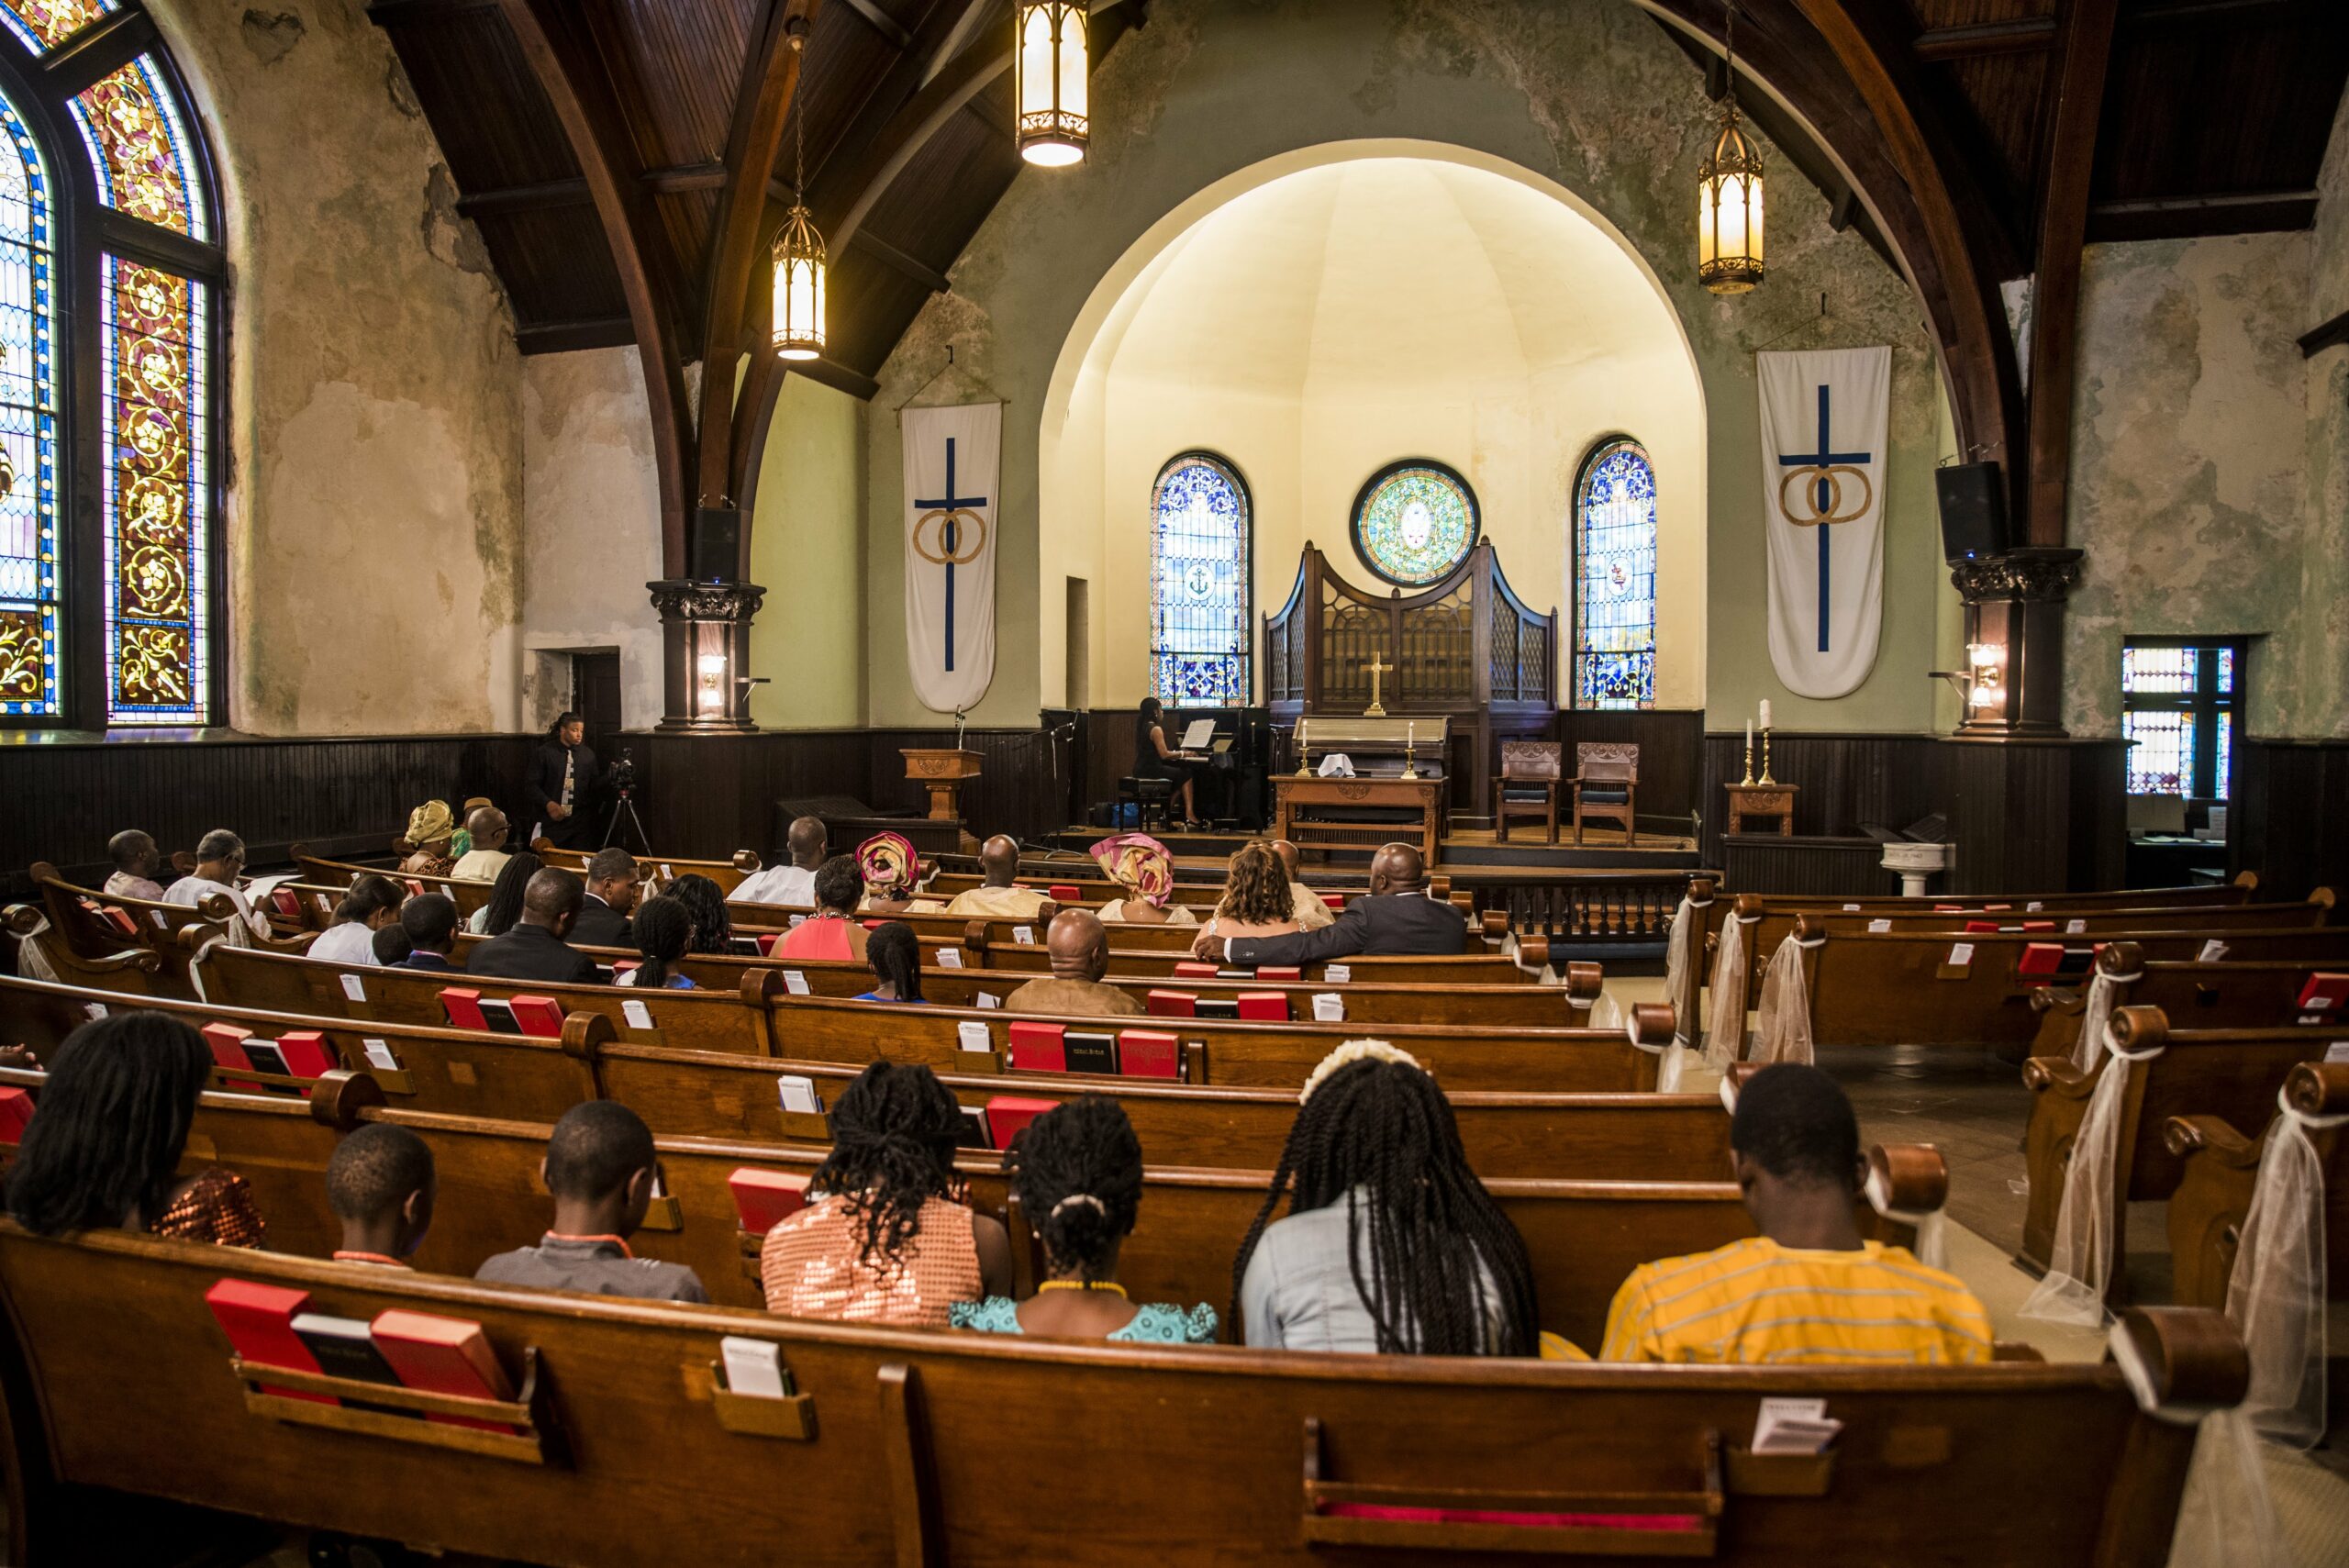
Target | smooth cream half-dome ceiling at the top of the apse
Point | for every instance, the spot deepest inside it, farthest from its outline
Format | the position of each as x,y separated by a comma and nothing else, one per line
1387,271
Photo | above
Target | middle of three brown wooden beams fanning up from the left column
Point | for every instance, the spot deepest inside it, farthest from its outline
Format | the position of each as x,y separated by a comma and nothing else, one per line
772,76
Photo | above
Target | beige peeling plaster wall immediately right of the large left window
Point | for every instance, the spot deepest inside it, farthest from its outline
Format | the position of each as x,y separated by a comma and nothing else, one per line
372,452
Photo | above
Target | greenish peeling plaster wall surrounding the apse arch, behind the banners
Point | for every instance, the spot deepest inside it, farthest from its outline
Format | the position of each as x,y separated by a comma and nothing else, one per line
1582,93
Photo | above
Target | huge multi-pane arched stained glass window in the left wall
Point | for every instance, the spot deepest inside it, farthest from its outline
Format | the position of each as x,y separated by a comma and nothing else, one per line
107,619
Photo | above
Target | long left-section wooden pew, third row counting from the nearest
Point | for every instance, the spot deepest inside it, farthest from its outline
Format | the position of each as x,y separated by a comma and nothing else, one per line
1615,1137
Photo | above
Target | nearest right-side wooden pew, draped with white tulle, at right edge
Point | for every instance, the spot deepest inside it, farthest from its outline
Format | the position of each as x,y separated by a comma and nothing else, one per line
2219,1172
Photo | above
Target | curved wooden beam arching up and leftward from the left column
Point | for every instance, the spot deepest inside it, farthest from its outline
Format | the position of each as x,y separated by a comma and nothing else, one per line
584,95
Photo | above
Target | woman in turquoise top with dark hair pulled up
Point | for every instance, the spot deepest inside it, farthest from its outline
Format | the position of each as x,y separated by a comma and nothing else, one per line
1079,1175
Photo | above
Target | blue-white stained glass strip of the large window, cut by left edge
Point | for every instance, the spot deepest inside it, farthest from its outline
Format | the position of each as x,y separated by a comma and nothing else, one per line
29,555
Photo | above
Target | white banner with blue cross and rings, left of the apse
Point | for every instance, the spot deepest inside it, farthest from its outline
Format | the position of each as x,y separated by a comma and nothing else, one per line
953,473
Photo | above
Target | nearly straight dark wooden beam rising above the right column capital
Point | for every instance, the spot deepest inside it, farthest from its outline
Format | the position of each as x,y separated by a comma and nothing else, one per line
2075,111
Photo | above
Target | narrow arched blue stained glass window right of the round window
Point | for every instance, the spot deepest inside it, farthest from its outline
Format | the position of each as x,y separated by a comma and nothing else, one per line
1615,579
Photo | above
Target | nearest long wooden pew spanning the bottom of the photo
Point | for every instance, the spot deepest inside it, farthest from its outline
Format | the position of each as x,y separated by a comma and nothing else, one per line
978,1449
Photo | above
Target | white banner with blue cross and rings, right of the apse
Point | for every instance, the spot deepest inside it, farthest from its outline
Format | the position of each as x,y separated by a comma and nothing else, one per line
1824,424
